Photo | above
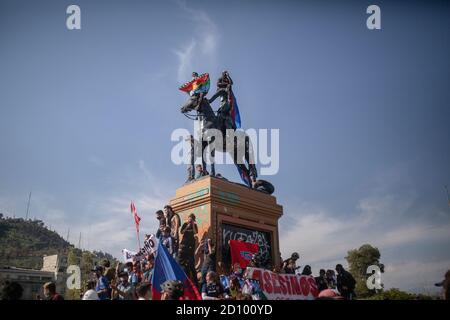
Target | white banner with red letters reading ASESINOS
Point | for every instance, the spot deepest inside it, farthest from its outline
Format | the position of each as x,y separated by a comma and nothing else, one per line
277,286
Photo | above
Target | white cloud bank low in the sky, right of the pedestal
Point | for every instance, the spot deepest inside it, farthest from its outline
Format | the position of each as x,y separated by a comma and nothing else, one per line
323,238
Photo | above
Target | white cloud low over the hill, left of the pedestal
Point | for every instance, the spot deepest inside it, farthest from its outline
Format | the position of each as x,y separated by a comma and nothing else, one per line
104,219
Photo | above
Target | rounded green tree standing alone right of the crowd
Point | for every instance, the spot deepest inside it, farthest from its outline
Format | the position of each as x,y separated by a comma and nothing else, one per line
359,260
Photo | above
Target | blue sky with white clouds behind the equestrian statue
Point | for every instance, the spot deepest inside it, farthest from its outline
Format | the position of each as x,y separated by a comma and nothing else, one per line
86,118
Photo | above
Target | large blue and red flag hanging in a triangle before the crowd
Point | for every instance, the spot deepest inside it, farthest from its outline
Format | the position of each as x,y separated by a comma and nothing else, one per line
166,268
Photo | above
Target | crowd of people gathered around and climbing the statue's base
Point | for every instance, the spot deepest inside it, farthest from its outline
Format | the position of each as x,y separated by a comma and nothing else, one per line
213,279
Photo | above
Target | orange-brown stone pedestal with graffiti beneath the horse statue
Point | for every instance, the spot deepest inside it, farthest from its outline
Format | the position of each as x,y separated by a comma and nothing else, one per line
229,211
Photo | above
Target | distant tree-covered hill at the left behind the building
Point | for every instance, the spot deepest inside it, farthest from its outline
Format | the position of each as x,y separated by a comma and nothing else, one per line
23,243
